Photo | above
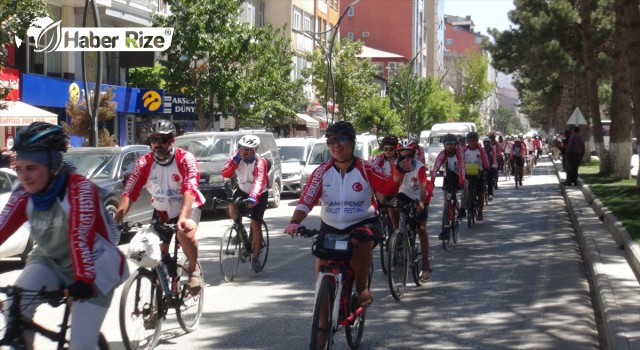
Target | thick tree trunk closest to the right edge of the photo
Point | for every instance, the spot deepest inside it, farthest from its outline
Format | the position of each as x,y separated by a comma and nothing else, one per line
621,112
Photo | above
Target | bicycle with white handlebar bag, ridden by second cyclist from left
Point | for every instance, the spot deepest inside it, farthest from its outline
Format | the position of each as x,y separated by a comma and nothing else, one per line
149,293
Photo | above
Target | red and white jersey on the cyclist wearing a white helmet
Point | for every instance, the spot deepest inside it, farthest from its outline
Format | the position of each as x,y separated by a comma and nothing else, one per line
252,177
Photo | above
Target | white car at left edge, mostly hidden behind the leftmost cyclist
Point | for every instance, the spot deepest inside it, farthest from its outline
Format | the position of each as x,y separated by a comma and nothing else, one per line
19,244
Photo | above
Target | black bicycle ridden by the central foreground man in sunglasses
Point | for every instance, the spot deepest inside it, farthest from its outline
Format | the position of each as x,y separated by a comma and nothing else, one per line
336,278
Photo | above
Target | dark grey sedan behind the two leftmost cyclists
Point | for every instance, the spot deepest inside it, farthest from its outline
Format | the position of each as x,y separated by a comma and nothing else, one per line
107,168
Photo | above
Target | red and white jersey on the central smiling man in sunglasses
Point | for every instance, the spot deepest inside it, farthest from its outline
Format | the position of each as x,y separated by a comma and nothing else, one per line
347,200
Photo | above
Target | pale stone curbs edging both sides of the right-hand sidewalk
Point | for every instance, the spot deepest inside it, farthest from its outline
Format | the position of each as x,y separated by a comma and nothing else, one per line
613,329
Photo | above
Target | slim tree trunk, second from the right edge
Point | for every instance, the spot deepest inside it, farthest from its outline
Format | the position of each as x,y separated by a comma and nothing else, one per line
591,78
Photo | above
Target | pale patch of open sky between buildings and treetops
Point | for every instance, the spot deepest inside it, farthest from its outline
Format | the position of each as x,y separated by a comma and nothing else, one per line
484,13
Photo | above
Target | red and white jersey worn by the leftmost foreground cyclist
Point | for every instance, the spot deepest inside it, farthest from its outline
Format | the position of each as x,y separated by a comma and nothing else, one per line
67,244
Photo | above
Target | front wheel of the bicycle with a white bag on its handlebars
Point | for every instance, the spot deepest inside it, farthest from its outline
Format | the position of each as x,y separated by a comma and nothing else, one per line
140,319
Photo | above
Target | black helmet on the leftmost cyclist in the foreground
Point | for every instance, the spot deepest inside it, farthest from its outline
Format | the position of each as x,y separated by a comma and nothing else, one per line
40,136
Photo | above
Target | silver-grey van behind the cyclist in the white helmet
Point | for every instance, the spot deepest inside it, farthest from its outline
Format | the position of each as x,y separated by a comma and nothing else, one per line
213,149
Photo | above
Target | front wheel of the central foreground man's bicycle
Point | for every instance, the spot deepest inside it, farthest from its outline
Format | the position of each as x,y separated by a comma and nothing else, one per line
322,323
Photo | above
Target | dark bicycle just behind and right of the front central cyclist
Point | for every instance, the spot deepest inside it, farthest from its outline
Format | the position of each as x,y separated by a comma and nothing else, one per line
404,250
